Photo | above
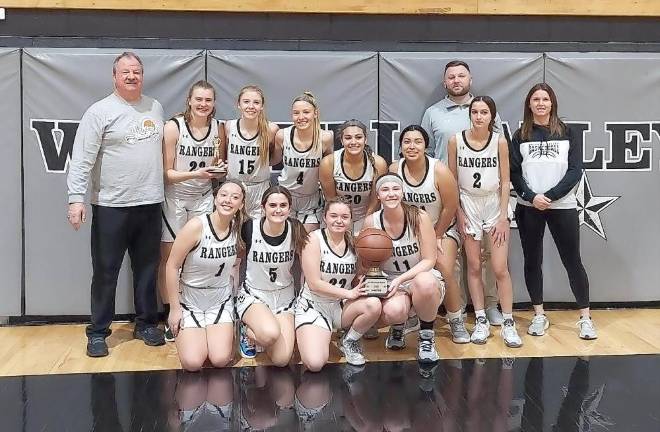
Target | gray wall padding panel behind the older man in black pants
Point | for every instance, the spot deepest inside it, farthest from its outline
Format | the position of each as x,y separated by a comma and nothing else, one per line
59,85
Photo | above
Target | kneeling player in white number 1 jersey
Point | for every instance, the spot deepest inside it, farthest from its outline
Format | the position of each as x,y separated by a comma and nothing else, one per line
201,317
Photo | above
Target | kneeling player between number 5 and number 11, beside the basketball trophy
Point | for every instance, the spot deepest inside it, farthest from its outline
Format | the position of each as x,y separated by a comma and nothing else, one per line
327,301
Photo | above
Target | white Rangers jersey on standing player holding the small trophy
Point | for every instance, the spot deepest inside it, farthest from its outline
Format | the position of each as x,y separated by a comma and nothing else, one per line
190,155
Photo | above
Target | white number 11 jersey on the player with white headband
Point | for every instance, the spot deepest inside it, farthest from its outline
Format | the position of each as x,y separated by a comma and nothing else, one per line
405,250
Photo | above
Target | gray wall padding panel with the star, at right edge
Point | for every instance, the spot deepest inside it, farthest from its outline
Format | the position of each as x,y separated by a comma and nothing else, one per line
615,95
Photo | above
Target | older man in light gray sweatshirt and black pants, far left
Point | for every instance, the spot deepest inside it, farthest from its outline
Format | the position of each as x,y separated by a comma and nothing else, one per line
117,160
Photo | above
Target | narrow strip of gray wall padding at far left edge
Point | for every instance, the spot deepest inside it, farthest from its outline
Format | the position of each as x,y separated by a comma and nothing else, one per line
11,249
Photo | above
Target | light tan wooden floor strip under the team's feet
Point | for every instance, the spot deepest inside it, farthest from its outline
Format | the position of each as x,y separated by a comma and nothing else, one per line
60,349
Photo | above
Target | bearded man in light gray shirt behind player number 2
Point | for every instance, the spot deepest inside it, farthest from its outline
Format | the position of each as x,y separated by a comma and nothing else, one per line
444,119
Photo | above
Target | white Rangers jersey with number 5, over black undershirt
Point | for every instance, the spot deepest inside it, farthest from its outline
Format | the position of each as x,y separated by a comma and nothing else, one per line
269,266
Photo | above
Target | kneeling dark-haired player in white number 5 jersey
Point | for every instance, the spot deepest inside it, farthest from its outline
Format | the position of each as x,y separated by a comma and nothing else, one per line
267,298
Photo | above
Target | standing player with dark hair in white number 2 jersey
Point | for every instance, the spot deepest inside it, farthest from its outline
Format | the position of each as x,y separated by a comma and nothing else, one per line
479,159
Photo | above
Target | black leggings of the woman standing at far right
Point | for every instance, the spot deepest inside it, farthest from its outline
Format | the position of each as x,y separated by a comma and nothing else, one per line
564,227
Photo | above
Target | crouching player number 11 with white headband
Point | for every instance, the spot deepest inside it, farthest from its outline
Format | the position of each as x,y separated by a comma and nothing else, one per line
414,283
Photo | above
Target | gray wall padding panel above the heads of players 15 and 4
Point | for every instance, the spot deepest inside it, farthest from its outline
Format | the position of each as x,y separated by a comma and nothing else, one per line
345,84
